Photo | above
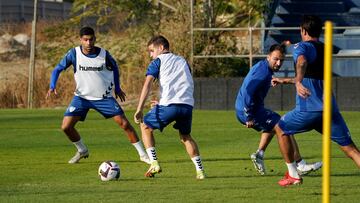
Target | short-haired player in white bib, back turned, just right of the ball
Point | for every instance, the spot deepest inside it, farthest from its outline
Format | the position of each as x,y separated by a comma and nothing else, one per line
176,103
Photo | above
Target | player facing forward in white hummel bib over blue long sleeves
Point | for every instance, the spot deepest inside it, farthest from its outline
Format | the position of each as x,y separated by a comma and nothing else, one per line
96,75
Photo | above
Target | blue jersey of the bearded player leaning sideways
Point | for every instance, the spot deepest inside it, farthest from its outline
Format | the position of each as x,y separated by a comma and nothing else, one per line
254,89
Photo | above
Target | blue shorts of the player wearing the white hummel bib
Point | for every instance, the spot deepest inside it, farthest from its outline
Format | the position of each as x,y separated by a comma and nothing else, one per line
108,107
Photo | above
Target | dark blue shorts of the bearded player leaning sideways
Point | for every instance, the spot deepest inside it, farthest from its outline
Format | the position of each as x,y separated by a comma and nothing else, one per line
264,119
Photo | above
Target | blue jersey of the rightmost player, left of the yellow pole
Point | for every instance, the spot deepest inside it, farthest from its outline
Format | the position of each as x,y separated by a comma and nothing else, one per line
315,101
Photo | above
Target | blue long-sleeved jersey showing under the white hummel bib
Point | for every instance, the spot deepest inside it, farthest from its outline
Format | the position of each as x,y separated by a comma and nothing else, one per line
70,59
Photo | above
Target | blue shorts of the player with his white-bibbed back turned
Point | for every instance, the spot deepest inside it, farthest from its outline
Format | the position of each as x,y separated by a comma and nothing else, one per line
161,116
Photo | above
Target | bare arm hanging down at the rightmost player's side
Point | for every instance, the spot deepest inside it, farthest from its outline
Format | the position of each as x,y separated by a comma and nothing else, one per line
301,65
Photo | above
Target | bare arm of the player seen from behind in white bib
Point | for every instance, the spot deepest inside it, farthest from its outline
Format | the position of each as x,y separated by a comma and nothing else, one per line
138,117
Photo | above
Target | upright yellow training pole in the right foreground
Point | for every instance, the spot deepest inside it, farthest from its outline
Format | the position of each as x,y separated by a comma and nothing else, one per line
327,113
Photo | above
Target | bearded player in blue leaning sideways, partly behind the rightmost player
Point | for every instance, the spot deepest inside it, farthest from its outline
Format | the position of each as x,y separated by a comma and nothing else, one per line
251,112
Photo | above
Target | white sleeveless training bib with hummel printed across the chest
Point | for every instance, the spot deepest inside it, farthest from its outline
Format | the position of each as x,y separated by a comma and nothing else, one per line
94,81
